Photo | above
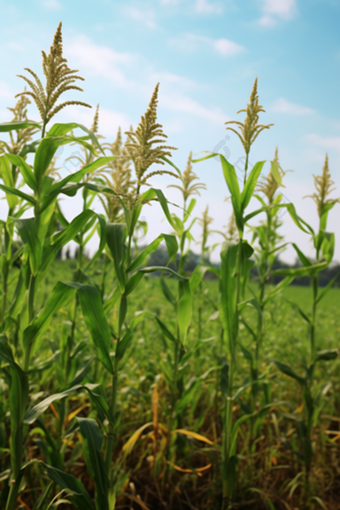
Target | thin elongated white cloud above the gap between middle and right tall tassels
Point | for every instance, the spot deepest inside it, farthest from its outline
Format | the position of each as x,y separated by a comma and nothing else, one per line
191,42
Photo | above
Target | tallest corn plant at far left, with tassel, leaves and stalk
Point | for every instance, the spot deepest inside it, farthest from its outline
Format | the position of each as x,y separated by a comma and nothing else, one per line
39,251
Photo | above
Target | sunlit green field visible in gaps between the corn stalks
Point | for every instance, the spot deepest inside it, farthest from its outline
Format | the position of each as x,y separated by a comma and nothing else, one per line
286,340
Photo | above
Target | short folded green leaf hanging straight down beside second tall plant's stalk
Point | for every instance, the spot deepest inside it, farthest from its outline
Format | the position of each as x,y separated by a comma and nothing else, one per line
115,234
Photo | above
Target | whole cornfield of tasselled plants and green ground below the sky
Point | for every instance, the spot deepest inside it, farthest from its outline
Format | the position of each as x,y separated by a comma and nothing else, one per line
131,384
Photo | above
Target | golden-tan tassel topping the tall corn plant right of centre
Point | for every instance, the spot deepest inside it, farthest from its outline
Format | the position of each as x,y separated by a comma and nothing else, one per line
250,128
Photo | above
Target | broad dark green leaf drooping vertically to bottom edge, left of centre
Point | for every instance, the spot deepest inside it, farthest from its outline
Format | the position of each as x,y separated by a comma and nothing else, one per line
92,442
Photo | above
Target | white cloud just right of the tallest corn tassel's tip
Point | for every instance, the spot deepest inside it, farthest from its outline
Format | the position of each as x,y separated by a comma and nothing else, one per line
100,60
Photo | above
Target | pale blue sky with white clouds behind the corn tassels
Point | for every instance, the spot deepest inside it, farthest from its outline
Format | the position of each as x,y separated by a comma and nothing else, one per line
206,55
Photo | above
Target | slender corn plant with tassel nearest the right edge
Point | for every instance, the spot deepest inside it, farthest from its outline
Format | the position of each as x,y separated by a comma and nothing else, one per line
323,242
